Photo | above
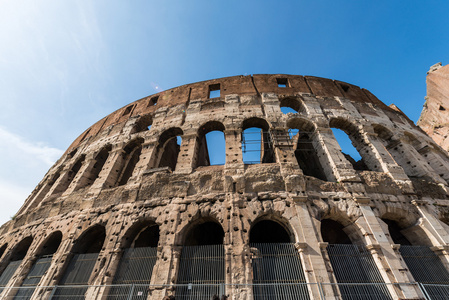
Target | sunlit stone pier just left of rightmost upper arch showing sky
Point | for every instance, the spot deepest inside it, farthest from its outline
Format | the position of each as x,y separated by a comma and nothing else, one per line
335,165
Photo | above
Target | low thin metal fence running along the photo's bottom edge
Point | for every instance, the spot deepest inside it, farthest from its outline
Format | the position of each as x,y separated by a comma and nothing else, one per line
278,291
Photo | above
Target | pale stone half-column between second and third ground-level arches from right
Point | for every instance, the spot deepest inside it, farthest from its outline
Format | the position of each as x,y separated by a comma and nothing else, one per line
311,251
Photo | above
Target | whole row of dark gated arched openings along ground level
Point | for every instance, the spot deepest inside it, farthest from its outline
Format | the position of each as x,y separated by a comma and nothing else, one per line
275,258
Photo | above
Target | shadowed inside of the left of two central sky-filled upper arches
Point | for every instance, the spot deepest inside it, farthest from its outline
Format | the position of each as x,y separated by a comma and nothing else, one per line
202,157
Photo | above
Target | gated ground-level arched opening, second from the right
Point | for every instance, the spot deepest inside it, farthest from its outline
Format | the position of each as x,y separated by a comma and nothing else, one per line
345,256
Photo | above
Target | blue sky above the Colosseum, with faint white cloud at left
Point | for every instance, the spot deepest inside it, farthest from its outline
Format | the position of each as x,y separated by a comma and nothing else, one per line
66,64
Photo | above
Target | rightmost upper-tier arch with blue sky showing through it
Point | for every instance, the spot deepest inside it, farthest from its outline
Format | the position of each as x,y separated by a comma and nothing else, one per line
357,142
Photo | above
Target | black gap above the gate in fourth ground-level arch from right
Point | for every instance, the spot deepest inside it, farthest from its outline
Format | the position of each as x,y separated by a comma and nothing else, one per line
208,233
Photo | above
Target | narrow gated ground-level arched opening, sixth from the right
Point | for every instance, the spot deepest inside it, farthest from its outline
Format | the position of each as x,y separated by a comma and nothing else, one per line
84,255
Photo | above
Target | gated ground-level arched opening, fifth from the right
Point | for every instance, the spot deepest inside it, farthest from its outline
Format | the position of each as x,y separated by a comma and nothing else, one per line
137,261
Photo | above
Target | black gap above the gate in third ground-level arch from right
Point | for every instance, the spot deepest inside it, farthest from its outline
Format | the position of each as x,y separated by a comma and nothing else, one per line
267,231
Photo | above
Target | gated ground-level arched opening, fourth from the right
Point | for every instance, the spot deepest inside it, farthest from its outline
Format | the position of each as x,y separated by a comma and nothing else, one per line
202,261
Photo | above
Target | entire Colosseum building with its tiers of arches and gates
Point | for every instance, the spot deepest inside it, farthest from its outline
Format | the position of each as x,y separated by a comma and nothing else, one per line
139,208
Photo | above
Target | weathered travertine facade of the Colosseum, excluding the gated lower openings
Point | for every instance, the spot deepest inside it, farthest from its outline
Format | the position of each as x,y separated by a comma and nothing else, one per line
406,181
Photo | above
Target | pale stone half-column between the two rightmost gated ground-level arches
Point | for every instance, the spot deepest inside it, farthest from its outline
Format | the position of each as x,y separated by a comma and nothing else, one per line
391,267
